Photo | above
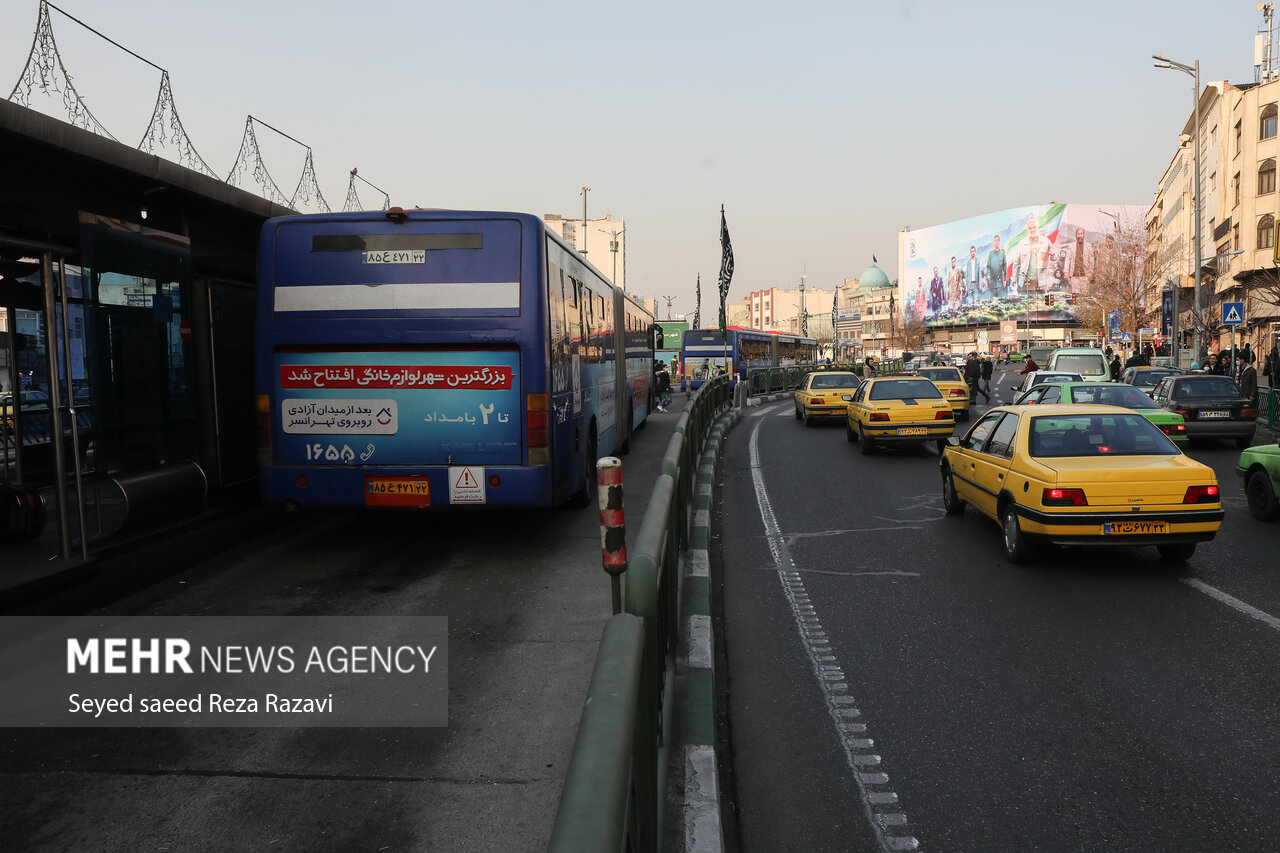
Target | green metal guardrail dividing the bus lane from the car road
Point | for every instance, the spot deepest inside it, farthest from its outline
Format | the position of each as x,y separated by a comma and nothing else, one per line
615,788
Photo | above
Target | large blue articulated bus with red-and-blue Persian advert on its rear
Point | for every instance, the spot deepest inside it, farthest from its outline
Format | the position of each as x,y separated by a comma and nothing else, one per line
441,359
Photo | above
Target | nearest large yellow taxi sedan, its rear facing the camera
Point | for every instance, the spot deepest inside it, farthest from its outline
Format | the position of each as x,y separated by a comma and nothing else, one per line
1081,475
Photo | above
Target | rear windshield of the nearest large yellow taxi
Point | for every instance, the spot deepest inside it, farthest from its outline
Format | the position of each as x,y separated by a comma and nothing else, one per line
1098,435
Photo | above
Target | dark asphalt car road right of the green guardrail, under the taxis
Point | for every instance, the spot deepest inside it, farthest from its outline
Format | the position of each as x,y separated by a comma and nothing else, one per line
893,683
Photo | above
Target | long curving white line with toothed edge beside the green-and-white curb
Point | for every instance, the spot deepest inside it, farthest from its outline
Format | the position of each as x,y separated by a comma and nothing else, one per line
877,797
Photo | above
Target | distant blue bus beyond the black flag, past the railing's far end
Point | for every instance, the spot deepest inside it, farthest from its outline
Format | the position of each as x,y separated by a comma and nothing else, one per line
706,353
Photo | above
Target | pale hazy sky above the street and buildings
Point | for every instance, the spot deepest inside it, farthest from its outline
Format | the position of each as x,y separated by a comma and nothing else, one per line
822,127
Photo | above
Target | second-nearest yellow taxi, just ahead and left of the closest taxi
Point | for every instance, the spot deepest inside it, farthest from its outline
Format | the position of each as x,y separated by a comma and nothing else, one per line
898,409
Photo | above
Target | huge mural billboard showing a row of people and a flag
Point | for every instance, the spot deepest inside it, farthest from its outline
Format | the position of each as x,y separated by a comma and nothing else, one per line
1005,266
